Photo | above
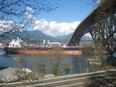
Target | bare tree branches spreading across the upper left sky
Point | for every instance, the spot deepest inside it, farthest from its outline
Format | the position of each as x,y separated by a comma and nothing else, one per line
16,14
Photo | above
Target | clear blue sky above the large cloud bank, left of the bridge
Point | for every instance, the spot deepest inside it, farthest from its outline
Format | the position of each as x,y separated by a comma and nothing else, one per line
69,11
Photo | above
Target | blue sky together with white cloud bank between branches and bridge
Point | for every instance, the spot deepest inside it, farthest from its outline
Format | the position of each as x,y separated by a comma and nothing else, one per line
64,19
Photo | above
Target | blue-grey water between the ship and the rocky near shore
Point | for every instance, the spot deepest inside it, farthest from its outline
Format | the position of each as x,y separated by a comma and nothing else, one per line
47,64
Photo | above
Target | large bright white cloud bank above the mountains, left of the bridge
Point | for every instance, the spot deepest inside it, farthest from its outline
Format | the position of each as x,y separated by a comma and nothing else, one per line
53,28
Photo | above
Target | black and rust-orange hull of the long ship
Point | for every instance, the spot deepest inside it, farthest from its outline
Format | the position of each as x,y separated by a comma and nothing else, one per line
45,50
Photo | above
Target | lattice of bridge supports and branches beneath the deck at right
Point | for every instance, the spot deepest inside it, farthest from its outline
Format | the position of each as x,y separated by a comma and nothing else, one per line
102,33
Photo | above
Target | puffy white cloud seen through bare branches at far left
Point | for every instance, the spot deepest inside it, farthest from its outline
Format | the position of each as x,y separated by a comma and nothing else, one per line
6,25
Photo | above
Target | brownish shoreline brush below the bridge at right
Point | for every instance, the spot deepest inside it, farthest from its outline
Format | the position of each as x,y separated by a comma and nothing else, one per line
97,59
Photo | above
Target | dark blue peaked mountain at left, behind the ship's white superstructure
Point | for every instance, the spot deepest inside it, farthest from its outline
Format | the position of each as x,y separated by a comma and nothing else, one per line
35,35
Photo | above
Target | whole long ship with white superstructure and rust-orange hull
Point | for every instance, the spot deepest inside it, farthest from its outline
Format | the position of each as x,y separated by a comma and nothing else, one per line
15,47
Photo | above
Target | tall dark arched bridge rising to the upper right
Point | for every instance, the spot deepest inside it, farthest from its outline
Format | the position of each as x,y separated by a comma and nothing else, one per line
101,24
